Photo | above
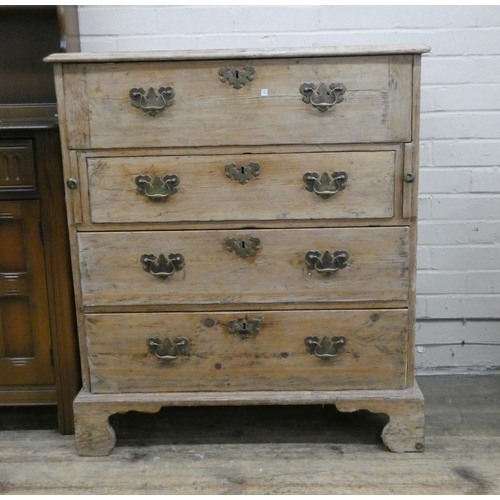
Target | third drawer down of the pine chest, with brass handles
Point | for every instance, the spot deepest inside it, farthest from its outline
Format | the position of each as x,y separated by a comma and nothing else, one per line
274,270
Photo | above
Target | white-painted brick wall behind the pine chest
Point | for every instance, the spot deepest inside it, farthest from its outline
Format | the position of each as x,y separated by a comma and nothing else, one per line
459,232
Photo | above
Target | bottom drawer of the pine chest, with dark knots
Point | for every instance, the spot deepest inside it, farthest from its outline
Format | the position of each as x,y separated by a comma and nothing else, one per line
275,357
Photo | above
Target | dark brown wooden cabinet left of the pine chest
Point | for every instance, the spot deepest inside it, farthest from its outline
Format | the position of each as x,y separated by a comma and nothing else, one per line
38,346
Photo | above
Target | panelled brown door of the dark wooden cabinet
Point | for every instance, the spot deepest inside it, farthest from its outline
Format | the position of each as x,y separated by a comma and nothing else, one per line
25,343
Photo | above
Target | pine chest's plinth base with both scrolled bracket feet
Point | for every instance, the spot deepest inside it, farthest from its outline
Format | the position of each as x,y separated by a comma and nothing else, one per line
95,437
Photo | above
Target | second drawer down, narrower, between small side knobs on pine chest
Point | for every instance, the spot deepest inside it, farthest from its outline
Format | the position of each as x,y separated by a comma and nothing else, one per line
242,187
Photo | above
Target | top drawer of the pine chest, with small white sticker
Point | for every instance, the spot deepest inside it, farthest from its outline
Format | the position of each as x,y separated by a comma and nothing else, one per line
269,109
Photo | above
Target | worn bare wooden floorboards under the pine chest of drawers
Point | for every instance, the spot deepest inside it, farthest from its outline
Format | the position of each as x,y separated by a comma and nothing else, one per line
263,450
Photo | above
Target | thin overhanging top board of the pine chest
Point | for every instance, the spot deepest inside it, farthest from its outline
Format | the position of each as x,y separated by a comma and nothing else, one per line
179,55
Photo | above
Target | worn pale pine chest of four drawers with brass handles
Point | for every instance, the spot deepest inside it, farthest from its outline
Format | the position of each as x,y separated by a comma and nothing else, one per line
243,230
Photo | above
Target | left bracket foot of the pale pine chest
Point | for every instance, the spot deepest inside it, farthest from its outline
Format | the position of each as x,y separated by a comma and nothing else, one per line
94,436
